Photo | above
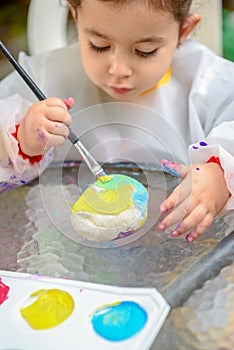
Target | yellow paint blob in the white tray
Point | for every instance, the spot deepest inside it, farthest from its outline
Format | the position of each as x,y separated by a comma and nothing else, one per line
52,307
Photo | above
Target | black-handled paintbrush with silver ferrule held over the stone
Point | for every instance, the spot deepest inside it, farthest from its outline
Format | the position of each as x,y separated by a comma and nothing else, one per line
93,165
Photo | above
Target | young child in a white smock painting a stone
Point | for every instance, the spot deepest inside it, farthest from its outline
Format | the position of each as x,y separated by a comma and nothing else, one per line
136,52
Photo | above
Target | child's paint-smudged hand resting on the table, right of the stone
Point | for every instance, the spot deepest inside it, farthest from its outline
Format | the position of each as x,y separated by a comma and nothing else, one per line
196,201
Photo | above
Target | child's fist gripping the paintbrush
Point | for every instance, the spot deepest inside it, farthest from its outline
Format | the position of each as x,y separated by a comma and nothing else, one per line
44,126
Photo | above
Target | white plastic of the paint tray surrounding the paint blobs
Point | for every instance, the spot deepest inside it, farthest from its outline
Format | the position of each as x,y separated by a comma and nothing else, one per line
77,331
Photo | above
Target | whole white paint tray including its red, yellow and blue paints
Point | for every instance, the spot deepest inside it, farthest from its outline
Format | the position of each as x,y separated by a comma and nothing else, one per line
101,317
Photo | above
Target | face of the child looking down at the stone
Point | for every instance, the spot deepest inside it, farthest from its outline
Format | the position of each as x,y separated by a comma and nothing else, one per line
125,50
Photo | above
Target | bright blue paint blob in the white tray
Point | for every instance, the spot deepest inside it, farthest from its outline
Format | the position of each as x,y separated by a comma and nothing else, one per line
119,321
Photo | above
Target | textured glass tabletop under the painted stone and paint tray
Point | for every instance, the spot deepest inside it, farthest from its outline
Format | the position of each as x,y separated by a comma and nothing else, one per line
34,233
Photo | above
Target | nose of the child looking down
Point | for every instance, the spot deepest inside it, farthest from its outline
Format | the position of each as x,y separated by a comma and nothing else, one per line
120,66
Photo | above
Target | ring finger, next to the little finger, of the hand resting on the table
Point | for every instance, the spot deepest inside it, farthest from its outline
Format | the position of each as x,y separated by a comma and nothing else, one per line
192,217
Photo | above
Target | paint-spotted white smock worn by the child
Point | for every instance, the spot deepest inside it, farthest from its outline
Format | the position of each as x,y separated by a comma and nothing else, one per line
196,104
